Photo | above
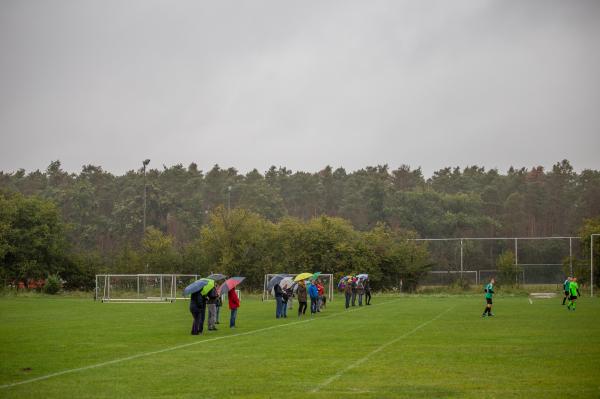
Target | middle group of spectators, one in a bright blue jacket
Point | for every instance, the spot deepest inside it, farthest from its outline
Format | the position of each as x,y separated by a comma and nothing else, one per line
303,290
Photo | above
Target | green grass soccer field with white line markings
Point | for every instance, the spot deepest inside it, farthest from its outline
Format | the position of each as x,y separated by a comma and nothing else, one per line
401,347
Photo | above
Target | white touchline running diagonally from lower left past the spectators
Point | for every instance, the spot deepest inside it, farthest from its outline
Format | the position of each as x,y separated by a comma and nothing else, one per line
173,348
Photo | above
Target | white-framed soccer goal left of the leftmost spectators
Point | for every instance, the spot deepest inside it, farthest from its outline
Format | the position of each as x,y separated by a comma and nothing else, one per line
142,287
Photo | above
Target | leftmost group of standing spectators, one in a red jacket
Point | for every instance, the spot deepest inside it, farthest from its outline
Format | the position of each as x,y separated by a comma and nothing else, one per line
214,302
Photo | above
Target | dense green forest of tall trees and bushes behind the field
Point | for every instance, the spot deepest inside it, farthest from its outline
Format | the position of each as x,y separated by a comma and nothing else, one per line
77,225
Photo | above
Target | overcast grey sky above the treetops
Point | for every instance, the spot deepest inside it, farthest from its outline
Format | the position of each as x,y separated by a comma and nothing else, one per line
304,84
